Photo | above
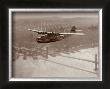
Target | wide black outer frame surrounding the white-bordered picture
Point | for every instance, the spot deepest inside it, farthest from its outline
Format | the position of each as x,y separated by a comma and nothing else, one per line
5,5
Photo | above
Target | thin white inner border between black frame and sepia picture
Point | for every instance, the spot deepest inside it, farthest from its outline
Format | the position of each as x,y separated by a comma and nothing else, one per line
54,10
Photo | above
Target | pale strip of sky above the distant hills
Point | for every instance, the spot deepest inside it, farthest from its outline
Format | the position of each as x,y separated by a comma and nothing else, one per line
23,15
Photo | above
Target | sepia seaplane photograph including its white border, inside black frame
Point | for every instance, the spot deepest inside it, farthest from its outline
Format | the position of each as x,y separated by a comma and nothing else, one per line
55,44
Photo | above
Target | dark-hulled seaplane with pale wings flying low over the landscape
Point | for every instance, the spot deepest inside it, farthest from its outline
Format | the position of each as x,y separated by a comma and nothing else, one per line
47,37
